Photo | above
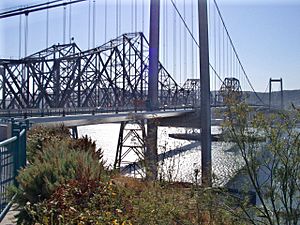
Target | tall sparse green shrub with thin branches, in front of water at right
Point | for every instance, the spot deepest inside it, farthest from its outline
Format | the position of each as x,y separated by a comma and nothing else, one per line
273,166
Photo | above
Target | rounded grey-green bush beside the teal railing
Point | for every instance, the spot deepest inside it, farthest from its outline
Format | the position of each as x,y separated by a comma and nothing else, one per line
55,165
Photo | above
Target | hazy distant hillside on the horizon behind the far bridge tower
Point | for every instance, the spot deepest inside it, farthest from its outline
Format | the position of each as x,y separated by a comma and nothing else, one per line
289,97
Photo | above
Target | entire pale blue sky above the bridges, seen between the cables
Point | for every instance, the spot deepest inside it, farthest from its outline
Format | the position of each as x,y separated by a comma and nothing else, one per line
265,33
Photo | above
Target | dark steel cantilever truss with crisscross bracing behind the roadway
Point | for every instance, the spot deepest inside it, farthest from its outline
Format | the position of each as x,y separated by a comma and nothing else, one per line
112,75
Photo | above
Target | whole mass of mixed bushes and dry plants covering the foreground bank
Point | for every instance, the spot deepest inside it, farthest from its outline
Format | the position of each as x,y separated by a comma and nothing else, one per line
66,183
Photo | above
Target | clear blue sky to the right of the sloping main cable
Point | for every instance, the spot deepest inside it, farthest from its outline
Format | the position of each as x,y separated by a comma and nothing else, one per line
267,37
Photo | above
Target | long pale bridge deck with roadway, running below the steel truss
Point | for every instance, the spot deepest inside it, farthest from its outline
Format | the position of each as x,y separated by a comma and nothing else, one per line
176,117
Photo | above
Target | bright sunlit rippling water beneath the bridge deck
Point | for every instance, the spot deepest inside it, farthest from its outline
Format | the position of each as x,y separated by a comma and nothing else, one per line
181,164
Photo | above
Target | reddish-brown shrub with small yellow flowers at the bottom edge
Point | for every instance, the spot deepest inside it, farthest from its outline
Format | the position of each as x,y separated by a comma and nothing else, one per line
82,202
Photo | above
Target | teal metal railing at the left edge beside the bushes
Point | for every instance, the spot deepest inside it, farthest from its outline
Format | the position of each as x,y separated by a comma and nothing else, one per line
12,158
